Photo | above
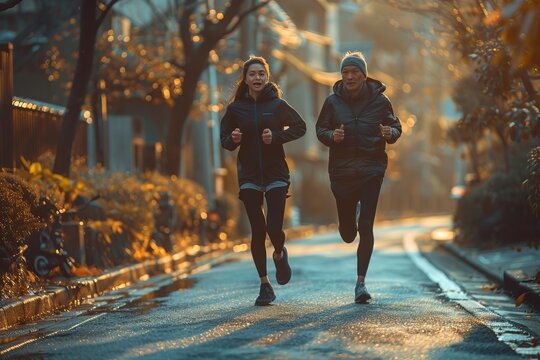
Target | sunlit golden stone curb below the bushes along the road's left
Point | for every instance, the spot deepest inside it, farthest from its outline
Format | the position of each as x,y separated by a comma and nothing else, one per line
72,293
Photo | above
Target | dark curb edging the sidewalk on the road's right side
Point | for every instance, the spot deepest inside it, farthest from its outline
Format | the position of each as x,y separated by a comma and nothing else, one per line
514,281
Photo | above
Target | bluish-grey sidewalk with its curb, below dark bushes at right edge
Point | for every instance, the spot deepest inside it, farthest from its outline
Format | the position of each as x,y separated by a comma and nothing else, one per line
514,267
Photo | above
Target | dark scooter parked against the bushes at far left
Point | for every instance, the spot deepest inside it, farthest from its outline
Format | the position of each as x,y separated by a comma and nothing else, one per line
46,247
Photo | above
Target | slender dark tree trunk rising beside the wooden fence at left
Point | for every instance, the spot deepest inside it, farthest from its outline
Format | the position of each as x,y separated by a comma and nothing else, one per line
83,71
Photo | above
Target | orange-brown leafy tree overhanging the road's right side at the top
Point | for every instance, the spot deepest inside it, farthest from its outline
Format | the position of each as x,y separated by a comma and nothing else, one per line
493,41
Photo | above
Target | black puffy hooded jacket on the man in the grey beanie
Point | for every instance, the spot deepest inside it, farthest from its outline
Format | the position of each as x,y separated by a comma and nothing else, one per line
362,152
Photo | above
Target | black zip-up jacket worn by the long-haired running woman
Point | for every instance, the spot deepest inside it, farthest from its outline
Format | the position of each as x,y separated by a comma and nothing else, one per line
258,162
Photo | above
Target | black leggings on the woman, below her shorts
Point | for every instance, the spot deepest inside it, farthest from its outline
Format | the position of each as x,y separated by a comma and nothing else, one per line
273,224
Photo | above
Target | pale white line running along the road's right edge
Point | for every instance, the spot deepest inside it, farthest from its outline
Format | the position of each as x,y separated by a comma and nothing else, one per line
506,332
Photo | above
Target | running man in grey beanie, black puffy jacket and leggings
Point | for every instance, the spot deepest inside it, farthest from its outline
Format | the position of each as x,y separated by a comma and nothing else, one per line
356,122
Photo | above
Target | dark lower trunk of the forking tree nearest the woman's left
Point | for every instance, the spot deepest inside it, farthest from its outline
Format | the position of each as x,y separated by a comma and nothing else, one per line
180,113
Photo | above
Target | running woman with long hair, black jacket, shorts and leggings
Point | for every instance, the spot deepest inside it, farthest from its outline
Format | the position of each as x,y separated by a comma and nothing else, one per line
259,121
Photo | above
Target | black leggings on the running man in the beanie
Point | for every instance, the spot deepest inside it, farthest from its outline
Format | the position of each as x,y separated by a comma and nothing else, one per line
368,196
